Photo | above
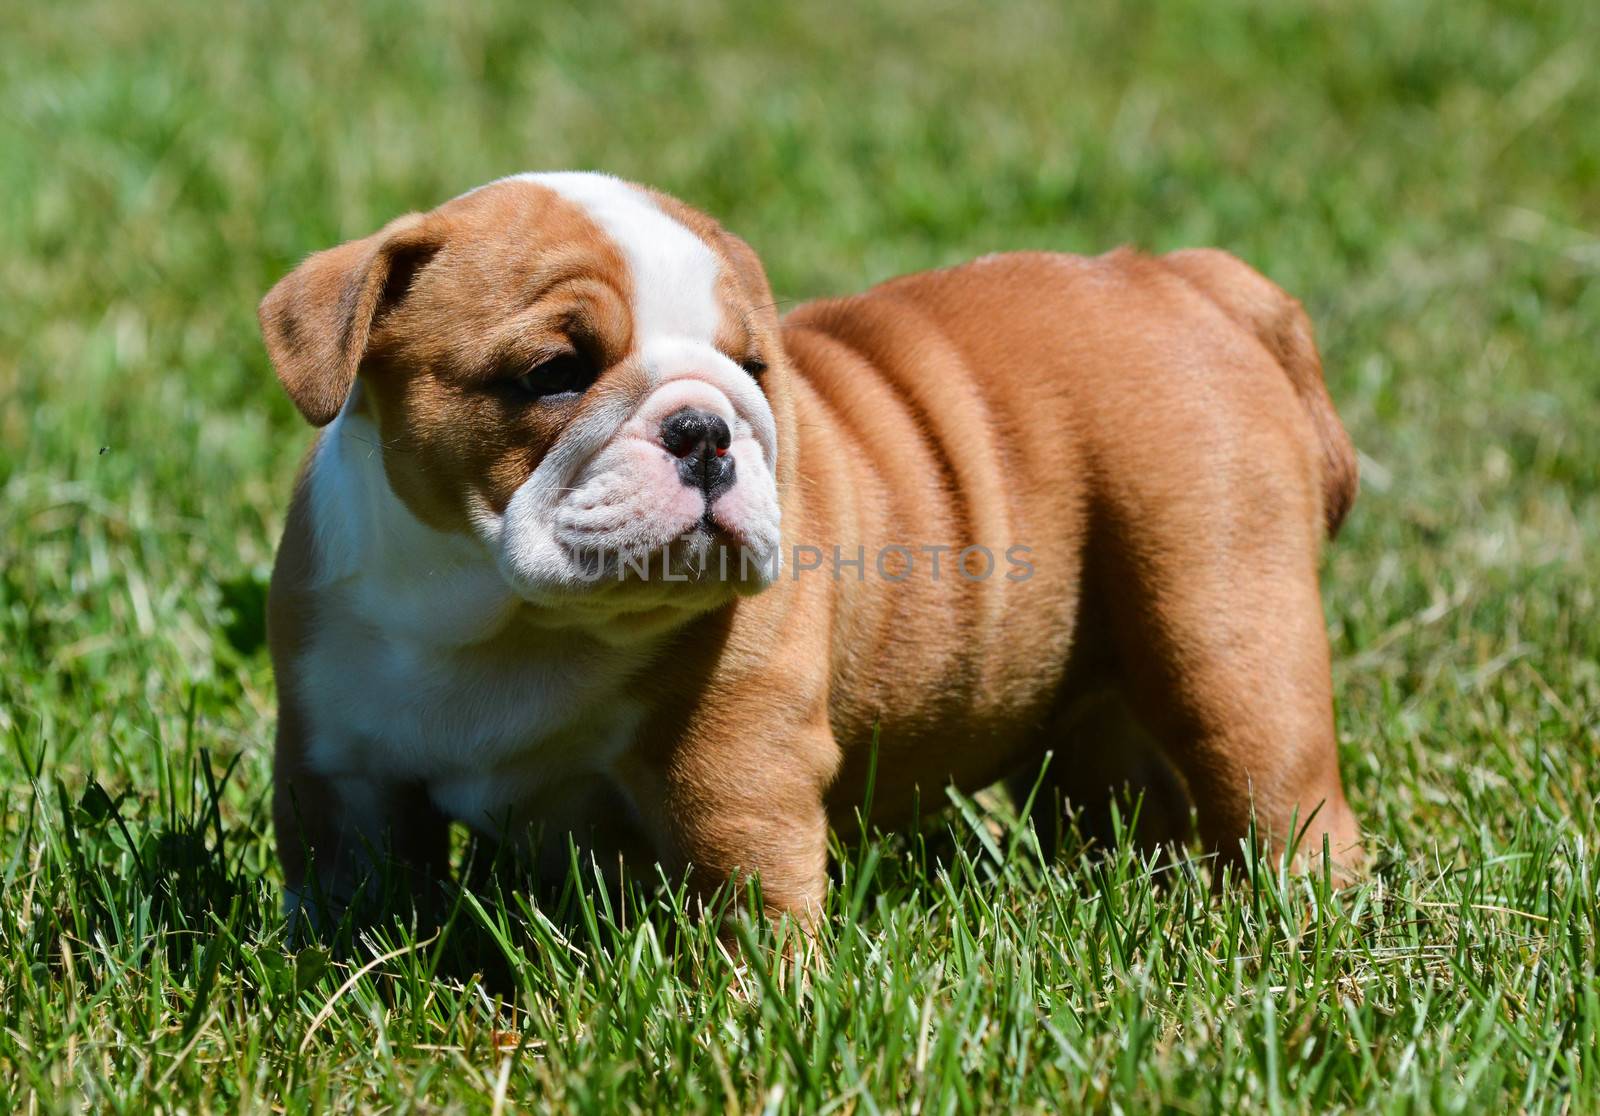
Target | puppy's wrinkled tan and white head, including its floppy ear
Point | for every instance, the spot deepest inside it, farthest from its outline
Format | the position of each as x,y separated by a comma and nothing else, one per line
574,370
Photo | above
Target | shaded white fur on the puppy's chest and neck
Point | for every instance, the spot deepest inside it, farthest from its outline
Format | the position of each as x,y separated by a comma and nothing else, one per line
399,682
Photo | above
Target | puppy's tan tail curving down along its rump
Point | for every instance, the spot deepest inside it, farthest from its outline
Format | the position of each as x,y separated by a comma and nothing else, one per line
1262,306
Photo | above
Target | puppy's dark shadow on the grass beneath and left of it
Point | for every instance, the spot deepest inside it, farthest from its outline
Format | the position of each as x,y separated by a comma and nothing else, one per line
495,923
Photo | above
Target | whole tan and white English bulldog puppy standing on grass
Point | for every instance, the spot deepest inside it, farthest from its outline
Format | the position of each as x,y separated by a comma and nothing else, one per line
594,543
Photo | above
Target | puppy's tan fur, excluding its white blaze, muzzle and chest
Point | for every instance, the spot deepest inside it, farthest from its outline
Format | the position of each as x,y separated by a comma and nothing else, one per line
1154,431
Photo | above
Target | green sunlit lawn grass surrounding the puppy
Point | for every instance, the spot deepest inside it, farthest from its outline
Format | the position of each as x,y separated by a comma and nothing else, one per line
1426,177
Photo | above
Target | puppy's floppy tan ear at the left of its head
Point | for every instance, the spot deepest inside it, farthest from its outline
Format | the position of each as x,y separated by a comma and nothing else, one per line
319,317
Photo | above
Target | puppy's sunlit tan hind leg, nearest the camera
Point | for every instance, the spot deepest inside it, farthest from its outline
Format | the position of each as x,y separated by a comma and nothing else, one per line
1218,632
